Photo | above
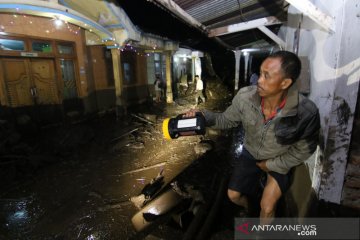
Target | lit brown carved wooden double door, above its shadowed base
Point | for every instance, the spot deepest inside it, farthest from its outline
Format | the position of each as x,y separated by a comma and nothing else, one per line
30,81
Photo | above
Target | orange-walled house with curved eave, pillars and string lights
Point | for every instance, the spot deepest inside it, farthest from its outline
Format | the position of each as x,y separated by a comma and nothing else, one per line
58,58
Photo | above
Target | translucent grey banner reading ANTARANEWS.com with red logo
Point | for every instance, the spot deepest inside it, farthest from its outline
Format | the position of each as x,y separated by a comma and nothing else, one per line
298,228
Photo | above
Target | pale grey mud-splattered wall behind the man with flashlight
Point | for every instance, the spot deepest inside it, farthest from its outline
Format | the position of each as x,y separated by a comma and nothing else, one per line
334,61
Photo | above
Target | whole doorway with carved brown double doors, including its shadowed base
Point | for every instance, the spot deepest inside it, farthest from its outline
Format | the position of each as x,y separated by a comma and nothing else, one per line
30,88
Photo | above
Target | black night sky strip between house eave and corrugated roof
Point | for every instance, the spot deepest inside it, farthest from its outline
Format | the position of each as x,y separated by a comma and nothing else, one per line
152,19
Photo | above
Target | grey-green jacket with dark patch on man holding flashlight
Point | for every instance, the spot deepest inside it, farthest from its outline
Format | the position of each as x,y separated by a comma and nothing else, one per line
285,141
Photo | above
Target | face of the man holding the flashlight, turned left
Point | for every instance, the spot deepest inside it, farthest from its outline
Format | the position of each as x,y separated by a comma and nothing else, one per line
271,80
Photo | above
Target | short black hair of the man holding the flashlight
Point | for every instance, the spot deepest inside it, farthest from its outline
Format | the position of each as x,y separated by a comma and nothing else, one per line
290,64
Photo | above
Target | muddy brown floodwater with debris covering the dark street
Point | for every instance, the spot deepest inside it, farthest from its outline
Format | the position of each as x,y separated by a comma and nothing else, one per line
74,181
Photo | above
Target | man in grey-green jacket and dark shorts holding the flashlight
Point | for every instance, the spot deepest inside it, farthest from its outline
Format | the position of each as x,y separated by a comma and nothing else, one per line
281,131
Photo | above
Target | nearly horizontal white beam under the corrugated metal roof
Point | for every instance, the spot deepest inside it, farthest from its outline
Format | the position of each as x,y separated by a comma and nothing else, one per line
266,21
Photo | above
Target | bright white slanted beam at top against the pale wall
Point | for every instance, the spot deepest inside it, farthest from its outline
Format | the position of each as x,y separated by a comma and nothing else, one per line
313,12
